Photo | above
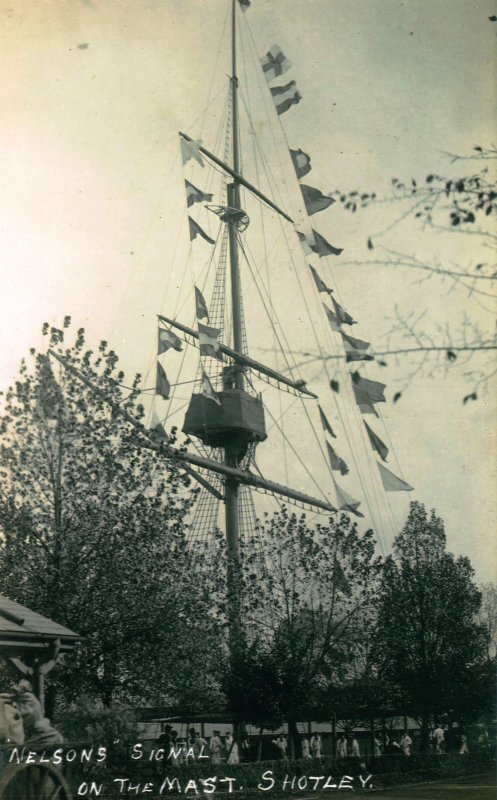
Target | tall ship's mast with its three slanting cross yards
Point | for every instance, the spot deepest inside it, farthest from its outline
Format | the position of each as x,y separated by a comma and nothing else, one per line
236,420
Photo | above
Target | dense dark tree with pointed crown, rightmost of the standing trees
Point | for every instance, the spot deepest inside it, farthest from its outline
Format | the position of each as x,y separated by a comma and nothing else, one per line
427,642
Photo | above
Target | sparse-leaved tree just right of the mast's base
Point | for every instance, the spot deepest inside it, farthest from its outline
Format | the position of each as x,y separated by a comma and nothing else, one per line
304,589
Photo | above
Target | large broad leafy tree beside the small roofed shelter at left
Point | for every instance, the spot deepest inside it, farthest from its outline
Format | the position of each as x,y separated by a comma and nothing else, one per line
92,526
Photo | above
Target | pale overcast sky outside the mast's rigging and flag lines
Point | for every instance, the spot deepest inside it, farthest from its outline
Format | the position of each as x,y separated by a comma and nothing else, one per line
93,96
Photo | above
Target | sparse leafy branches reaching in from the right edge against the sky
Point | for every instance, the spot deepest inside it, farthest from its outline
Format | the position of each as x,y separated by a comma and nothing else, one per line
459,206
